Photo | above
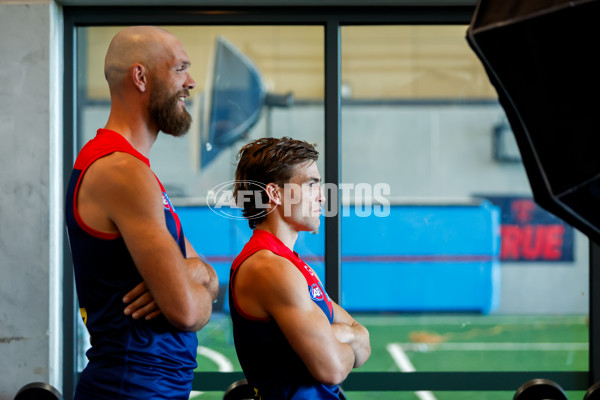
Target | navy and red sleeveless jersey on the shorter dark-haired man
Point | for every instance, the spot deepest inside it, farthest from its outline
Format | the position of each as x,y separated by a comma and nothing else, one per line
269,362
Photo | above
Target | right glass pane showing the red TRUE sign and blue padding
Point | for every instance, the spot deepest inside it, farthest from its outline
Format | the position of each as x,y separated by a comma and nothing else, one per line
445,256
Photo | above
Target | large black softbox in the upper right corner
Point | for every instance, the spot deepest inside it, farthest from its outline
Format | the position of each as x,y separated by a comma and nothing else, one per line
540,55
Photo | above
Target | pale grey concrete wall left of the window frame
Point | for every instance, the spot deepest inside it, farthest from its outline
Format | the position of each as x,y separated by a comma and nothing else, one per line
29,231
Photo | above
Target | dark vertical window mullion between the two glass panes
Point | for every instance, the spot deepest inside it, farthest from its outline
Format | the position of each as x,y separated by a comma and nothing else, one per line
332,157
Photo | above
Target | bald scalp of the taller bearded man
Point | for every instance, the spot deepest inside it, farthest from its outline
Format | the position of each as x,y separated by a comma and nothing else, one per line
136,44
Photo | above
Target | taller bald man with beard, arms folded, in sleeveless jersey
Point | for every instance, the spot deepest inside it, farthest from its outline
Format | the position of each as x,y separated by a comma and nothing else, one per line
143,291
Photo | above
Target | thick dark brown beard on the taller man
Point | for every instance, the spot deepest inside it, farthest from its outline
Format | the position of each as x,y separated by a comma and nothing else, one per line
165,111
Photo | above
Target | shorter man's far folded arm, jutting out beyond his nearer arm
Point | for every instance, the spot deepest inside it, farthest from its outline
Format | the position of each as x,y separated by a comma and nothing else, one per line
347,330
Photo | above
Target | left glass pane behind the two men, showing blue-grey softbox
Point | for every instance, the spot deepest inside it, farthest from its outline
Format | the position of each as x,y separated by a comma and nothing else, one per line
252,81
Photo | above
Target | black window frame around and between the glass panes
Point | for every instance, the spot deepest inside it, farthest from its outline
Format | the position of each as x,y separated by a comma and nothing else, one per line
332,18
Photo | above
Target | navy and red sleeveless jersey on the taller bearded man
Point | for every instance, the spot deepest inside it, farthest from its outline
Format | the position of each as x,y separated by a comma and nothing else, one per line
129,359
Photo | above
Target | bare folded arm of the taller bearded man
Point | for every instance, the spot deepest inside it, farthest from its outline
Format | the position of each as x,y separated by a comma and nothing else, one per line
119,193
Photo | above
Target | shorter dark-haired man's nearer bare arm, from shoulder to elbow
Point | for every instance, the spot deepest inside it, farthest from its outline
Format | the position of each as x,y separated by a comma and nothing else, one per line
270,285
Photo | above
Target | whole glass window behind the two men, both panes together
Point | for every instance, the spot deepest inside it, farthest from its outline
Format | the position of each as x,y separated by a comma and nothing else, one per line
446,259
